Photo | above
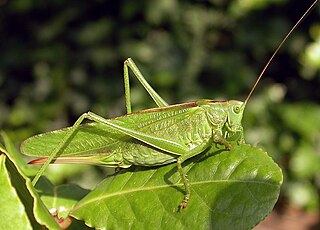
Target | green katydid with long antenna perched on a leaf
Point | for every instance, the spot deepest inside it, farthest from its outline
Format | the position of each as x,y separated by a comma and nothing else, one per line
146,137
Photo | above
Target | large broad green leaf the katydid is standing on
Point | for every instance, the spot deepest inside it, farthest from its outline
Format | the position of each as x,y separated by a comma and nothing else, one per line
235,189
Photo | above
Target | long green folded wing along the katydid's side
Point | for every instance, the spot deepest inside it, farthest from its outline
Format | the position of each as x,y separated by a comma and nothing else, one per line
185,124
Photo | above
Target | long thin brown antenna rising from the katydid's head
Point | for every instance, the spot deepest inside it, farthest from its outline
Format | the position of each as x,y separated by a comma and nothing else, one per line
276,51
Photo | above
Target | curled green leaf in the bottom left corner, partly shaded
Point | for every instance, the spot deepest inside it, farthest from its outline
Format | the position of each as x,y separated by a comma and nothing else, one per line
29,205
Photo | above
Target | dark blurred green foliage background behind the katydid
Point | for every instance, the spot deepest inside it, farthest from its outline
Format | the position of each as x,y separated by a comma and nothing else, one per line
60,59
